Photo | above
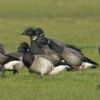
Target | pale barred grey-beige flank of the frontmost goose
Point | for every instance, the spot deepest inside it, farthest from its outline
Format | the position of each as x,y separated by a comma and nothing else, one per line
41,65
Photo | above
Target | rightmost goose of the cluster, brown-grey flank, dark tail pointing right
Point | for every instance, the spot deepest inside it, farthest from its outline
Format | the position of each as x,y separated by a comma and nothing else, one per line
70,54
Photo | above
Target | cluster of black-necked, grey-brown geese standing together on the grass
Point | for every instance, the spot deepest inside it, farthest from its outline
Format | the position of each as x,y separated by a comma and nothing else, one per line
43,56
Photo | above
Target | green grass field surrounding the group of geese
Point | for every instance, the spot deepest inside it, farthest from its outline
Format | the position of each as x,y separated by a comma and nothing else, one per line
75,22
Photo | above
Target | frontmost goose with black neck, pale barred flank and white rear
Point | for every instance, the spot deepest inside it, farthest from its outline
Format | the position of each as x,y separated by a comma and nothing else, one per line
39,63
